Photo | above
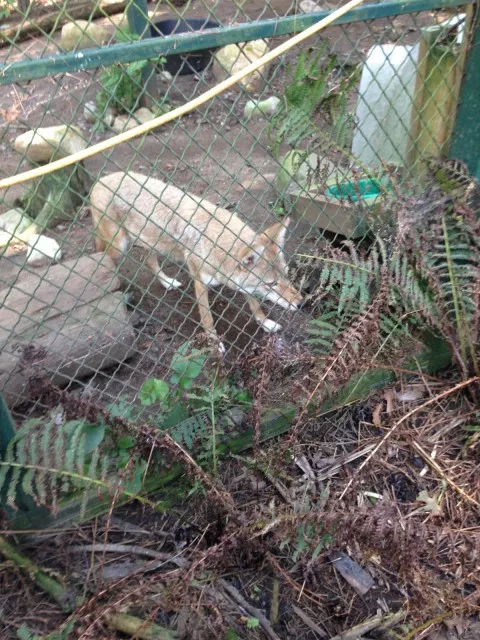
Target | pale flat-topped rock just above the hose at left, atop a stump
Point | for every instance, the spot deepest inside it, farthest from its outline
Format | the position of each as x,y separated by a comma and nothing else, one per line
40,145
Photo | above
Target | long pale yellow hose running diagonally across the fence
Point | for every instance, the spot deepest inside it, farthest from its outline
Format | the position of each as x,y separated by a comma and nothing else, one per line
182,110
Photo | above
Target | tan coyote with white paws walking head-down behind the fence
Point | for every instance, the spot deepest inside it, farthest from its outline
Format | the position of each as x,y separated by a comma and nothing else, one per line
217,246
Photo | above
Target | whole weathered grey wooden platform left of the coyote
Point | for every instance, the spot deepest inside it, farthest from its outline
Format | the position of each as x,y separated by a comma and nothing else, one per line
64,322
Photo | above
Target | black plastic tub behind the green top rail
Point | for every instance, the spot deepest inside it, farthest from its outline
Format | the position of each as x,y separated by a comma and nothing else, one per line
185,63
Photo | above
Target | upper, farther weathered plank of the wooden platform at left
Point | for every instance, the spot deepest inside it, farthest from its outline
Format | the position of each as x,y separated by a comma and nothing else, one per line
37,296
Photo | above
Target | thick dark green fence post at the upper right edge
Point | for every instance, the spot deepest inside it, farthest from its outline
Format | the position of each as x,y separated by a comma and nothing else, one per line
466,136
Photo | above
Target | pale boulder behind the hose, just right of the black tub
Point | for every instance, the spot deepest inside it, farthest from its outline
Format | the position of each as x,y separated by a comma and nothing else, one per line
232,58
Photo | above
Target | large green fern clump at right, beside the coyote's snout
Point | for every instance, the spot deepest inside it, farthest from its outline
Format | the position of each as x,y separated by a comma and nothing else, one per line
433,265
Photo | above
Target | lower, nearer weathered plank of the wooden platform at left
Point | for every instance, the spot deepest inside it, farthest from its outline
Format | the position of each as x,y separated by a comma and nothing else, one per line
68,347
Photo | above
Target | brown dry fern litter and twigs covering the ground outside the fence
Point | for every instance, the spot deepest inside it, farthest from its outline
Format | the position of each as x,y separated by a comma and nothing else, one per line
391,482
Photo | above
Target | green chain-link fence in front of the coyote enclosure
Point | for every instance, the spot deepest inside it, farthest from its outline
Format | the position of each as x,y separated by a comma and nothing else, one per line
320,138
